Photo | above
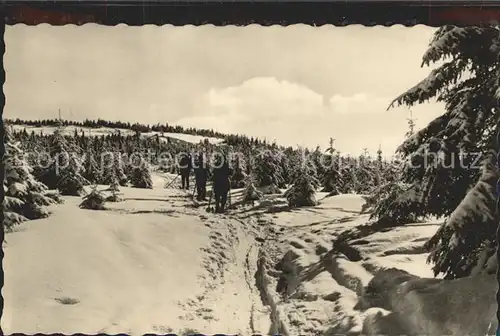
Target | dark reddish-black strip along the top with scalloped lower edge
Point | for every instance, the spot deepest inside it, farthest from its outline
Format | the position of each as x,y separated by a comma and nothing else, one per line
242,13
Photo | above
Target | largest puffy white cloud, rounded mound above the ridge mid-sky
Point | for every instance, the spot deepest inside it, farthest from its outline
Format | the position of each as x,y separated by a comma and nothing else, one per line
262,101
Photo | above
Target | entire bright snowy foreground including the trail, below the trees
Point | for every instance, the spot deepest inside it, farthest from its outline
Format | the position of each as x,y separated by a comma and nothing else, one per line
158,262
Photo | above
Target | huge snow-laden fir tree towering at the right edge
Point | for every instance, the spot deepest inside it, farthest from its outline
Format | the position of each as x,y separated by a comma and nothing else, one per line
450,185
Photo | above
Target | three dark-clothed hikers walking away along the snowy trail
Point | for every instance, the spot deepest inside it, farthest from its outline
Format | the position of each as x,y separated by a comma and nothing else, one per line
221,173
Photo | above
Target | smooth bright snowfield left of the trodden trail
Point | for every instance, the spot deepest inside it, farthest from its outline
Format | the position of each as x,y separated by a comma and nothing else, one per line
148,265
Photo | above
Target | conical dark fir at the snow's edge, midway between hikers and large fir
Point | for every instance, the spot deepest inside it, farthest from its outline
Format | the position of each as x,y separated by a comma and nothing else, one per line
303,190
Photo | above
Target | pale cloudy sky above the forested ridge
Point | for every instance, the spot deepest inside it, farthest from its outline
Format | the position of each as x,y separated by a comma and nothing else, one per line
298,85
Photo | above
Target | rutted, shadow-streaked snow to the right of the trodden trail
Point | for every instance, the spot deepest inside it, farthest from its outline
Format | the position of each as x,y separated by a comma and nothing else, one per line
316,287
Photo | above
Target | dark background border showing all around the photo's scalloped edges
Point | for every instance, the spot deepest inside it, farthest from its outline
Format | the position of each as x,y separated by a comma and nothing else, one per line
460,13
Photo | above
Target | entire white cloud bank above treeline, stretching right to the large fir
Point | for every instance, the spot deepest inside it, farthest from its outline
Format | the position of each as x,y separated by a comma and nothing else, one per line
296,115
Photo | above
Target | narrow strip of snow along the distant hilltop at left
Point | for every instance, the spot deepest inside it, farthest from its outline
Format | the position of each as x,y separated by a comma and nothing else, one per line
70,130
